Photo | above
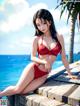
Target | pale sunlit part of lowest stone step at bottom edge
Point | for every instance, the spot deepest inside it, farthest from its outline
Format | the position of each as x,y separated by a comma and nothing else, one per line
38,100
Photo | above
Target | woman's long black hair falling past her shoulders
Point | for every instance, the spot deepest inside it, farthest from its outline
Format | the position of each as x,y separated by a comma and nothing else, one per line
45,15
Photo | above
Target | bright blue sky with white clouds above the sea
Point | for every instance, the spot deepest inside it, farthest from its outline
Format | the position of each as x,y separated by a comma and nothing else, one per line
17,30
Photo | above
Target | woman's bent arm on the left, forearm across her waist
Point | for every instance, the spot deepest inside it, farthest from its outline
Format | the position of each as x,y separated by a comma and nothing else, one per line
34,52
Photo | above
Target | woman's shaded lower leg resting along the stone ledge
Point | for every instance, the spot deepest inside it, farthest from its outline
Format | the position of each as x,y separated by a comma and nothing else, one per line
34,84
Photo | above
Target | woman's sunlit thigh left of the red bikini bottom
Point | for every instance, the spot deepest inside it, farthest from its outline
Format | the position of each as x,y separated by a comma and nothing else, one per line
26,76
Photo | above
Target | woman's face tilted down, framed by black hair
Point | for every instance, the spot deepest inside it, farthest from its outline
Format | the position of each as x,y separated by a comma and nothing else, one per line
42,25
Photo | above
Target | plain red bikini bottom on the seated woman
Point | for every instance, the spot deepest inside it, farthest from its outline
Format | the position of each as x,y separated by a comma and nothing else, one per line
38,72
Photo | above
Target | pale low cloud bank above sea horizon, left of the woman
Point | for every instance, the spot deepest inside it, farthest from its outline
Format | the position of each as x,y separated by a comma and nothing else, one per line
15,46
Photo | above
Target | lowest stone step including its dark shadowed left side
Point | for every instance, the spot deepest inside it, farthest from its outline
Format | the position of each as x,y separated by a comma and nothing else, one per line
33,99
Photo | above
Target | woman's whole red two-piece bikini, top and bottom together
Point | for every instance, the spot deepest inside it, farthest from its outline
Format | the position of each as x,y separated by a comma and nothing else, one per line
43,50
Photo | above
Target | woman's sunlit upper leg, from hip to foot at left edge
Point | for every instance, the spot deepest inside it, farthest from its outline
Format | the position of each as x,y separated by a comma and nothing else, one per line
26,77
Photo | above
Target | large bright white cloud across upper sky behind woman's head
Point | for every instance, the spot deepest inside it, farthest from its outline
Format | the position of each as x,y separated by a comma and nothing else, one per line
22,15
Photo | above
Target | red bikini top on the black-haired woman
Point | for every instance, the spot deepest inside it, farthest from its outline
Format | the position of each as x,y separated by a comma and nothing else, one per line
43,50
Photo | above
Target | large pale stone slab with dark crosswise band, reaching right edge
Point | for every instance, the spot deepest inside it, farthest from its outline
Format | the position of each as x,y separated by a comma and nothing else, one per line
61,91
